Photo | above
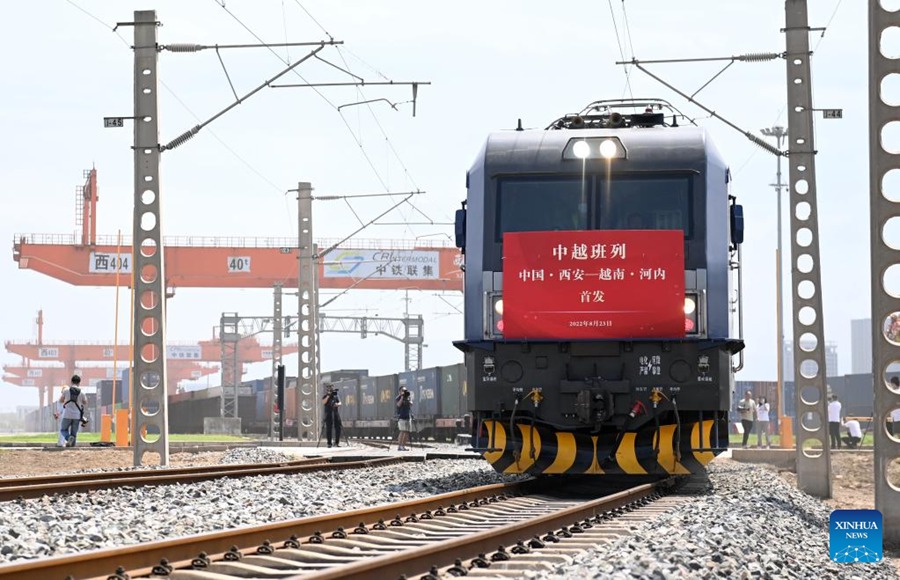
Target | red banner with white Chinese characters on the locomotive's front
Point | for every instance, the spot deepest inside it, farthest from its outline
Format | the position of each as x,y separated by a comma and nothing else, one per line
594,284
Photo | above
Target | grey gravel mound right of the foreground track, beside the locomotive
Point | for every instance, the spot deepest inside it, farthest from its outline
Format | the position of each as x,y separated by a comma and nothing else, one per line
751,524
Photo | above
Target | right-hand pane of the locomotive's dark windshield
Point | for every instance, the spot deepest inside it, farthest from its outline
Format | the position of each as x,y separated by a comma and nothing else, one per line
646,203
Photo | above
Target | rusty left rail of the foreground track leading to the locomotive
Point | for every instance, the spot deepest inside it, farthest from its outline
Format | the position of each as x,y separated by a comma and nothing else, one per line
139,559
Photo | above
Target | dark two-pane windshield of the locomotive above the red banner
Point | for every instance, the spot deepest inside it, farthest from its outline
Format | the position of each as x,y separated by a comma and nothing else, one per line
536,204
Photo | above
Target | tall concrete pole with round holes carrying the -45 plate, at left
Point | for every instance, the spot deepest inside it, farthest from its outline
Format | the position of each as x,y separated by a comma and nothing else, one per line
149,423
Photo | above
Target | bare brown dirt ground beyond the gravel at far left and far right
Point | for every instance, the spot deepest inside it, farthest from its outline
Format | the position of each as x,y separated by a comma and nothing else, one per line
853,473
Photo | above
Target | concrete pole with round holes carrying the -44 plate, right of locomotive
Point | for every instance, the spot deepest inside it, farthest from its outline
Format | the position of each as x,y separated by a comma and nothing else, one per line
813,449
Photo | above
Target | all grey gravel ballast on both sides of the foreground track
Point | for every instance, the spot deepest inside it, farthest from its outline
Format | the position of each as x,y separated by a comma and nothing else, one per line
751,523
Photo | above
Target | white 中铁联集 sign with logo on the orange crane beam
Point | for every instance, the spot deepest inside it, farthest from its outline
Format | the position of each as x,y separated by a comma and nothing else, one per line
382,264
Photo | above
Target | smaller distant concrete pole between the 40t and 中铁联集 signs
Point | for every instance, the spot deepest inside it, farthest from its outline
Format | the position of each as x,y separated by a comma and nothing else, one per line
307,321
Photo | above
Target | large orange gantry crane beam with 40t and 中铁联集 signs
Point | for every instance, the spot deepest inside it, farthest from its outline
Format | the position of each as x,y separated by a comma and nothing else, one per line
238,262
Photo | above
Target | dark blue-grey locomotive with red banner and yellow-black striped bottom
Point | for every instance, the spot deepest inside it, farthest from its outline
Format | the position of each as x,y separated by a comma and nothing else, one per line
602,304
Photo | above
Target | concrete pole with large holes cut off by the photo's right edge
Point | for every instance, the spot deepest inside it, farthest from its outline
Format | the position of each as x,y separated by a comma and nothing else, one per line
883,165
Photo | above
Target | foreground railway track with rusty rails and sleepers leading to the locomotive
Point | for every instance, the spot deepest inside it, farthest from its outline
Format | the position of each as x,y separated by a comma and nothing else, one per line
497,529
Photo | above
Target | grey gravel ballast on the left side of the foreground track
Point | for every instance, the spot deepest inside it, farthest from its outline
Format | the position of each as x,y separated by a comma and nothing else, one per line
72,523
